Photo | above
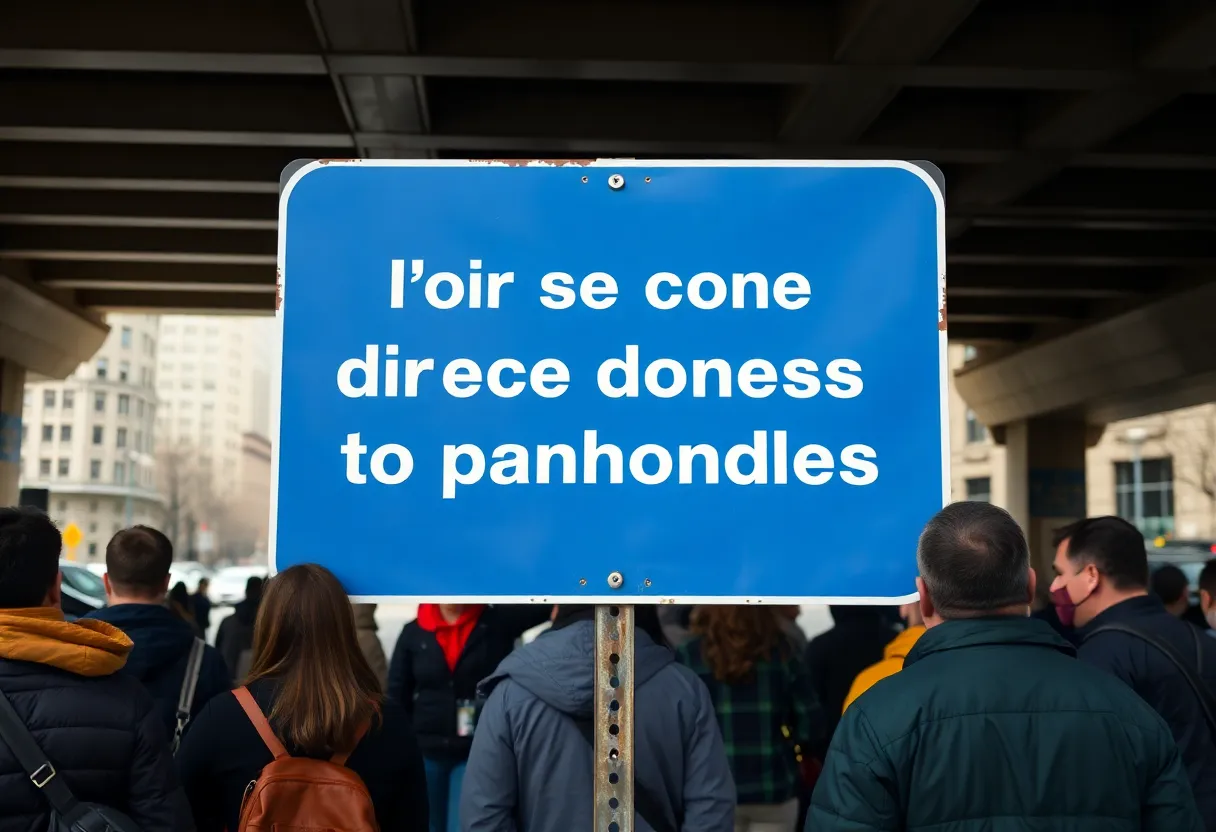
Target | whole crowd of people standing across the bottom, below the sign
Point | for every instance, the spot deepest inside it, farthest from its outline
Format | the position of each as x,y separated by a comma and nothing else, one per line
962,711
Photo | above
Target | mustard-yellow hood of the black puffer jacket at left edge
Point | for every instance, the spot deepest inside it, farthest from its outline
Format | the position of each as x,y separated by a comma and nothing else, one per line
41,636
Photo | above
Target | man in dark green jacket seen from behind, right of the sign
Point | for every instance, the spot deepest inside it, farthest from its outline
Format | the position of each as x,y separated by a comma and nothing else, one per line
994,726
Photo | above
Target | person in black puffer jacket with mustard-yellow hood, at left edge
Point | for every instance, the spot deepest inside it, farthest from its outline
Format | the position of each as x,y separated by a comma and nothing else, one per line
98,727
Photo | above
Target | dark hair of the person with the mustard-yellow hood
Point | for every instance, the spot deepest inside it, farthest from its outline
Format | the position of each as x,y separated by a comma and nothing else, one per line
30,558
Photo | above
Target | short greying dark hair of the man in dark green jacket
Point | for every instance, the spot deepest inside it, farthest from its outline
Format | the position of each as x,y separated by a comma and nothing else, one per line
975,560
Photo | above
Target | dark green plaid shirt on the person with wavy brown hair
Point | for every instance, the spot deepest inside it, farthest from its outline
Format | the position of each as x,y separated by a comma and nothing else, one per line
763,718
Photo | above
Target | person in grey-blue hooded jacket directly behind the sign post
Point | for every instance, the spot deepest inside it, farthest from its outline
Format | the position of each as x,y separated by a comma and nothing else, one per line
531,767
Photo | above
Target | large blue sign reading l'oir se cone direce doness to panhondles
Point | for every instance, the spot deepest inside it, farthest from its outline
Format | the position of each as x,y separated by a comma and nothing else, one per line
644,381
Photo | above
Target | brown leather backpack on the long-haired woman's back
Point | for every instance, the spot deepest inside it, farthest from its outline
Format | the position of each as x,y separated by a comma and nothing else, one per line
297,794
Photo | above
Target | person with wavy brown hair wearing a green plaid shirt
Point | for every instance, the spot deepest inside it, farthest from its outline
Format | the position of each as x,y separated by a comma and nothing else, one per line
765,706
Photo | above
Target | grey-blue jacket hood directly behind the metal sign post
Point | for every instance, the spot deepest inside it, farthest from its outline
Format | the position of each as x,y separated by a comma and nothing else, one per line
559,667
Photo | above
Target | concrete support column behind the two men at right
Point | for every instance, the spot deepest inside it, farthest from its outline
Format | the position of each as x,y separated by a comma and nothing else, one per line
1045,481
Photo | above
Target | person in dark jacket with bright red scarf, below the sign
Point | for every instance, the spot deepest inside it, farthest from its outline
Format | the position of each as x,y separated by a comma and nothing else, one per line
437,665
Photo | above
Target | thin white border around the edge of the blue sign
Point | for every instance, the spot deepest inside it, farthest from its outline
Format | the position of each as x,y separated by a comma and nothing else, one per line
657,599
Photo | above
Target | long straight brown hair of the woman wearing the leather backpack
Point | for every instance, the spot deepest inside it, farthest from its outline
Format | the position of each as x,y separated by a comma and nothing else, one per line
306,642
